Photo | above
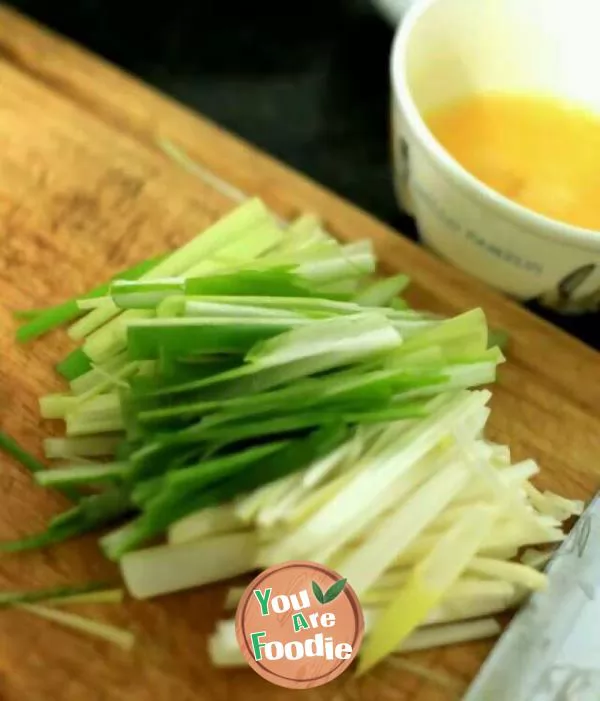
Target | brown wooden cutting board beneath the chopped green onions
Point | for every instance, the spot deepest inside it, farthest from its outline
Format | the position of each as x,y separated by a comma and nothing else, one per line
85,190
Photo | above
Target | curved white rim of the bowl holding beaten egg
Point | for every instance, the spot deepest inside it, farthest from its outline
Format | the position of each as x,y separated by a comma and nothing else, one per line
536,224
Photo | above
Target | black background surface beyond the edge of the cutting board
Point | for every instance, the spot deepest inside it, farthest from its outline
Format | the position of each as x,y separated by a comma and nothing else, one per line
305,81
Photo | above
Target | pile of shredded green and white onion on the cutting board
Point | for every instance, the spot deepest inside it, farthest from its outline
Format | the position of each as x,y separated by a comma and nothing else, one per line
259,395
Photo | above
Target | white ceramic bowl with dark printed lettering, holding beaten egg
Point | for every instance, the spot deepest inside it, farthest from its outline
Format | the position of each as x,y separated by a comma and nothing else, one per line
448,49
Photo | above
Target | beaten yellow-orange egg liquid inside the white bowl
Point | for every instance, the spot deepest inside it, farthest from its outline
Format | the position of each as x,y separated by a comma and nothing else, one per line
540,152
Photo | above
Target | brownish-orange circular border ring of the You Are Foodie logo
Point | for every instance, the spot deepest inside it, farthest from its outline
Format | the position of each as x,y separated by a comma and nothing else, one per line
243,634
